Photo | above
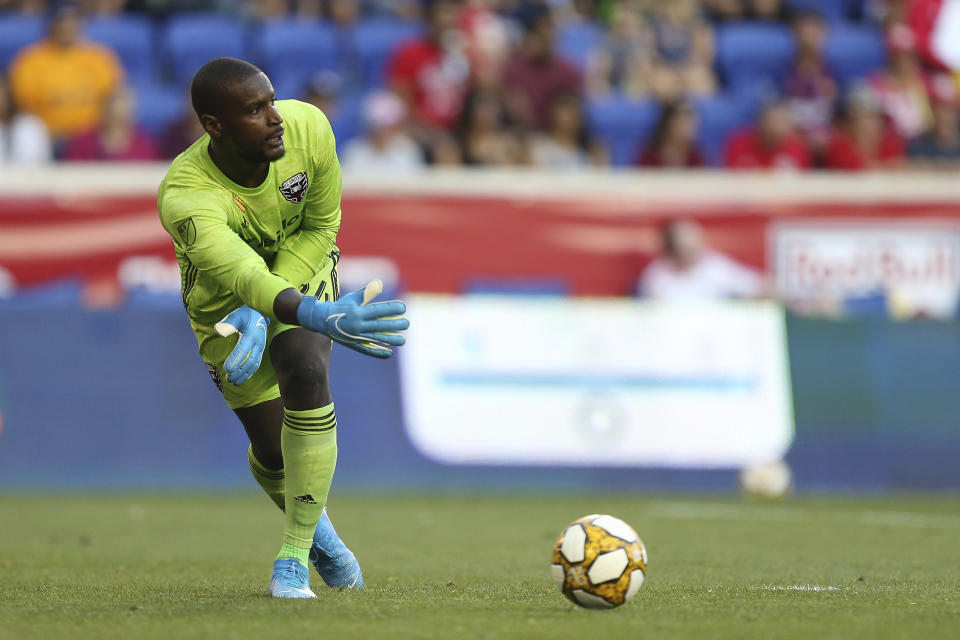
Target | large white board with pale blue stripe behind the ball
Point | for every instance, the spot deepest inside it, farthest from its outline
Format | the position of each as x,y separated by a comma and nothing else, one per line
509,380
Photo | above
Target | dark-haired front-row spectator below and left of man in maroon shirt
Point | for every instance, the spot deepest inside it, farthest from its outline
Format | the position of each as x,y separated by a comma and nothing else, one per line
484,136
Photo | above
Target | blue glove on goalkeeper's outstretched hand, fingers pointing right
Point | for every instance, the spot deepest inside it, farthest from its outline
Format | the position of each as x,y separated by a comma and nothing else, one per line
352,321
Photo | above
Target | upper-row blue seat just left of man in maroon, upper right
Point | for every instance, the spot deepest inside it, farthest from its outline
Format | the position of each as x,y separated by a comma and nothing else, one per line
751,52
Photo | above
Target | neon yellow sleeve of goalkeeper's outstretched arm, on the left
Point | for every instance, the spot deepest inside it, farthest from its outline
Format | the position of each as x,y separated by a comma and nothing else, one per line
216,250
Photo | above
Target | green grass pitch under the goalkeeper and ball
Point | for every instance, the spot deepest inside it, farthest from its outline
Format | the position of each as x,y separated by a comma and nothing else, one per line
197,566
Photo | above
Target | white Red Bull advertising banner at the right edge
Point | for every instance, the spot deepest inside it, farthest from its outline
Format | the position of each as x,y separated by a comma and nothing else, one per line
915,264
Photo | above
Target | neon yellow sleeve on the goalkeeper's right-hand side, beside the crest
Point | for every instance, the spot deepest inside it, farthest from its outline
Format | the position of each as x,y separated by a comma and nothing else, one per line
302,254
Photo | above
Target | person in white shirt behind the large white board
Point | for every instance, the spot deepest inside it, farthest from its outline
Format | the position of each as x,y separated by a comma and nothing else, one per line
689,270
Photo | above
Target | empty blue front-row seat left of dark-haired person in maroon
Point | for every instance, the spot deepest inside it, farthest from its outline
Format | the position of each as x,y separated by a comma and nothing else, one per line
622,124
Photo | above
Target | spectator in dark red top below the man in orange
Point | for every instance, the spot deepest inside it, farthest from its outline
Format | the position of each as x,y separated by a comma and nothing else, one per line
118,138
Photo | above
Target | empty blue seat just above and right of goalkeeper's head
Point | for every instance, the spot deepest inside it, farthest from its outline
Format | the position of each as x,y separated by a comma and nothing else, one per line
292,47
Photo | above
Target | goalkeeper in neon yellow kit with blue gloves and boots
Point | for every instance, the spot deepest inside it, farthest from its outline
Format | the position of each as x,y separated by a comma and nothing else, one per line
253,208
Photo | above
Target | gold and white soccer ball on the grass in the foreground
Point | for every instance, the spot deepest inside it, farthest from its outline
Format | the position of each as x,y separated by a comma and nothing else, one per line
599,562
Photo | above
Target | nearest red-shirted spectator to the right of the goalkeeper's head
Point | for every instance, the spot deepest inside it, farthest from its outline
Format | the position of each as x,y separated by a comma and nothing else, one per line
431,73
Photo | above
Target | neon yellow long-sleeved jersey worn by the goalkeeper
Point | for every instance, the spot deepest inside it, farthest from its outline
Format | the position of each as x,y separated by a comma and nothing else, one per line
237,245
